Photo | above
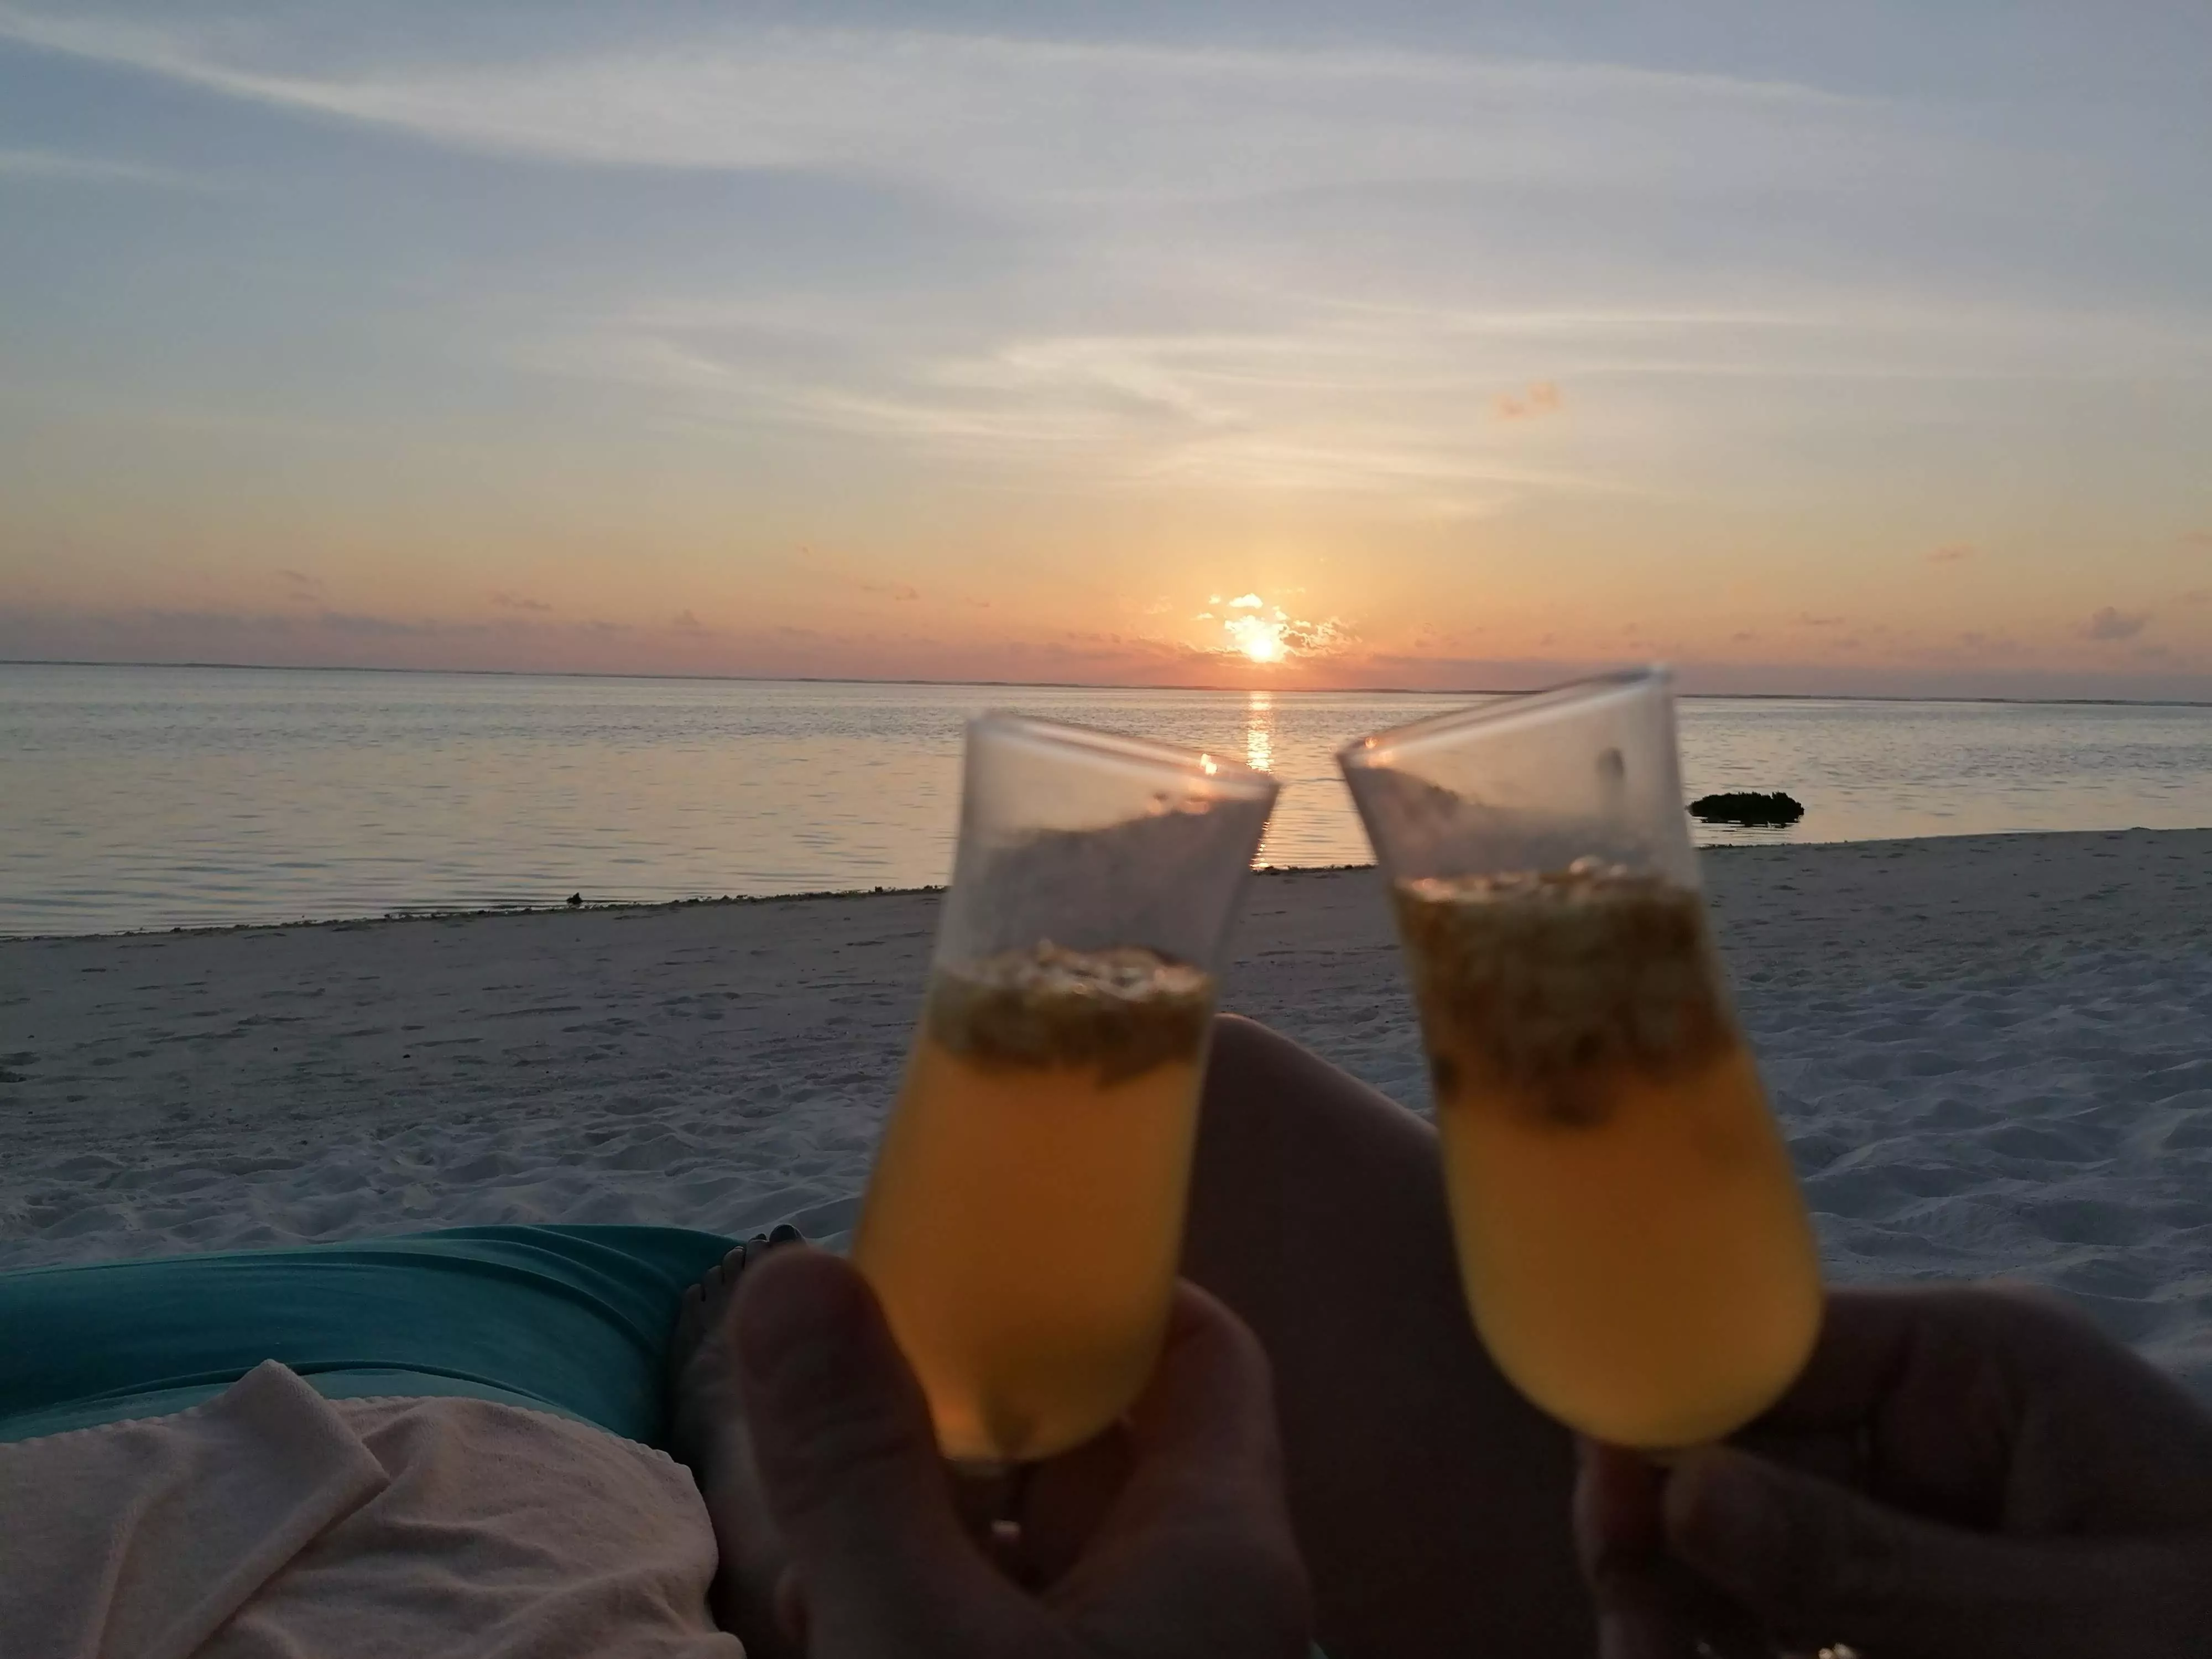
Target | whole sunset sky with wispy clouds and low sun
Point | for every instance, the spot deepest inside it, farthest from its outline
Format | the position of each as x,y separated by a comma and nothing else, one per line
1260,344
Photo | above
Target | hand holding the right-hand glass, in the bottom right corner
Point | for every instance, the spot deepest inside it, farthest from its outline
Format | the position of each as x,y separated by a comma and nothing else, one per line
1959,1472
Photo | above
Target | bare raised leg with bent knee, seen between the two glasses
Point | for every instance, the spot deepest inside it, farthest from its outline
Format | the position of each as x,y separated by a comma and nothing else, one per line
1430,1499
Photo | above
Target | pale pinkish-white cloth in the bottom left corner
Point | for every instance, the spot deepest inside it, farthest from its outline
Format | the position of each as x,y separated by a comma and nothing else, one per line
273,1523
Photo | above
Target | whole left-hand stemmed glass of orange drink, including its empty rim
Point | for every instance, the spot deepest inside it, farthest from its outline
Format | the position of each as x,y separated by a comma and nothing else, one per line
1025,1215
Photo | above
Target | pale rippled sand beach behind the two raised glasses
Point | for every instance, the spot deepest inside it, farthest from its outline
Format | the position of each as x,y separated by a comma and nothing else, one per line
1994,1056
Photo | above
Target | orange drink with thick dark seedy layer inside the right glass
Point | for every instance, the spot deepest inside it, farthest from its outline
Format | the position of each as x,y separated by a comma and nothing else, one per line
1631,1235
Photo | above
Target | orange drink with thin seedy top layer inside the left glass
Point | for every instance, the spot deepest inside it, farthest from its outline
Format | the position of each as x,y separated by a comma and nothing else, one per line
1027,1209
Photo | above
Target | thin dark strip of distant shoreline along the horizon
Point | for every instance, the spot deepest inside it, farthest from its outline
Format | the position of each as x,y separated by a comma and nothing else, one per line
1094,685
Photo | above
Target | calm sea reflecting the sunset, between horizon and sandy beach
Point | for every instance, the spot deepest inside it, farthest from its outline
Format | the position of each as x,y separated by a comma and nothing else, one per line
187,797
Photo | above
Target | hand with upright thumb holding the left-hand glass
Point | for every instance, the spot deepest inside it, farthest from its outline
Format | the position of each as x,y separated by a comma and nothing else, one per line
1182,1554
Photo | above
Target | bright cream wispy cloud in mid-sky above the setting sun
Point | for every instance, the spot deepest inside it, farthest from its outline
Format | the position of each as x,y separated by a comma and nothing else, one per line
1311,399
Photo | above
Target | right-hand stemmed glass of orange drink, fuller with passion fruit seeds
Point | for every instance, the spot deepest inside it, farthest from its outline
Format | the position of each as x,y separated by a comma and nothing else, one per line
1631,1240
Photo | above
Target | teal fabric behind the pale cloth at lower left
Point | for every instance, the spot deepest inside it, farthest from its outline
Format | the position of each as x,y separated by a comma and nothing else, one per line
559,1319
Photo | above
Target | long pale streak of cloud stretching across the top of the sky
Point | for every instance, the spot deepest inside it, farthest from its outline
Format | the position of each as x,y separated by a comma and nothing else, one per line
999,114
